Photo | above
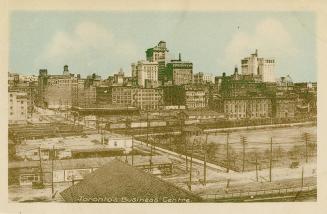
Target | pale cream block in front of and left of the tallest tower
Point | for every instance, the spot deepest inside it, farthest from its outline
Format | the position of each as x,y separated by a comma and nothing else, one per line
146,73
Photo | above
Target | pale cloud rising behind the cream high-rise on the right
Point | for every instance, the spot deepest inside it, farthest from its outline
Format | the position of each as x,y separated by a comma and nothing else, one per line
270,38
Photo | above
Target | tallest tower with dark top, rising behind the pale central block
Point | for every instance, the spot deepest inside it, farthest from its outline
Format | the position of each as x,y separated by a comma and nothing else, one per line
158,54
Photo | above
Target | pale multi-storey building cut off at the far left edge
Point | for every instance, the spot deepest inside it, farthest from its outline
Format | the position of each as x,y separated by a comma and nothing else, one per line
17,107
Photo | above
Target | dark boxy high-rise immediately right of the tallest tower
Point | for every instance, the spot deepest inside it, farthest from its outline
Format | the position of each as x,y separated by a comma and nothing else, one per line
179,72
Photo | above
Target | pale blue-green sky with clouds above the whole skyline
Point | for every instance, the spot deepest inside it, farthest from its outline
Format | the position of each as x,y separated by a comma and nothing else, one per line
103,42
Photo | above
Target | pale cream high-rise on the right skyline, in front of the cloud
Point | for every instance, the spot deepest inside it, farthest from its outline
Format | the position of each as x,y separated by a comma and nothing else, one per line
254,65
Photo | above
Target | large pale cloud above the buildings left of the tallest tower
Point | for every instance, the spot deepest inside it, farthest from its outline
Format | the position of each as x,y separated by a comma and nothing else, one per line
87,46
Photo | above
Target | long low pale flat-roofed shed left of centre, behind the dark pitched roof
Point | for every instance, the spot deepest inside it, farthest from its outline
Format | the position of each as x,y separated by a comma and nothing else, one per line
70,146
